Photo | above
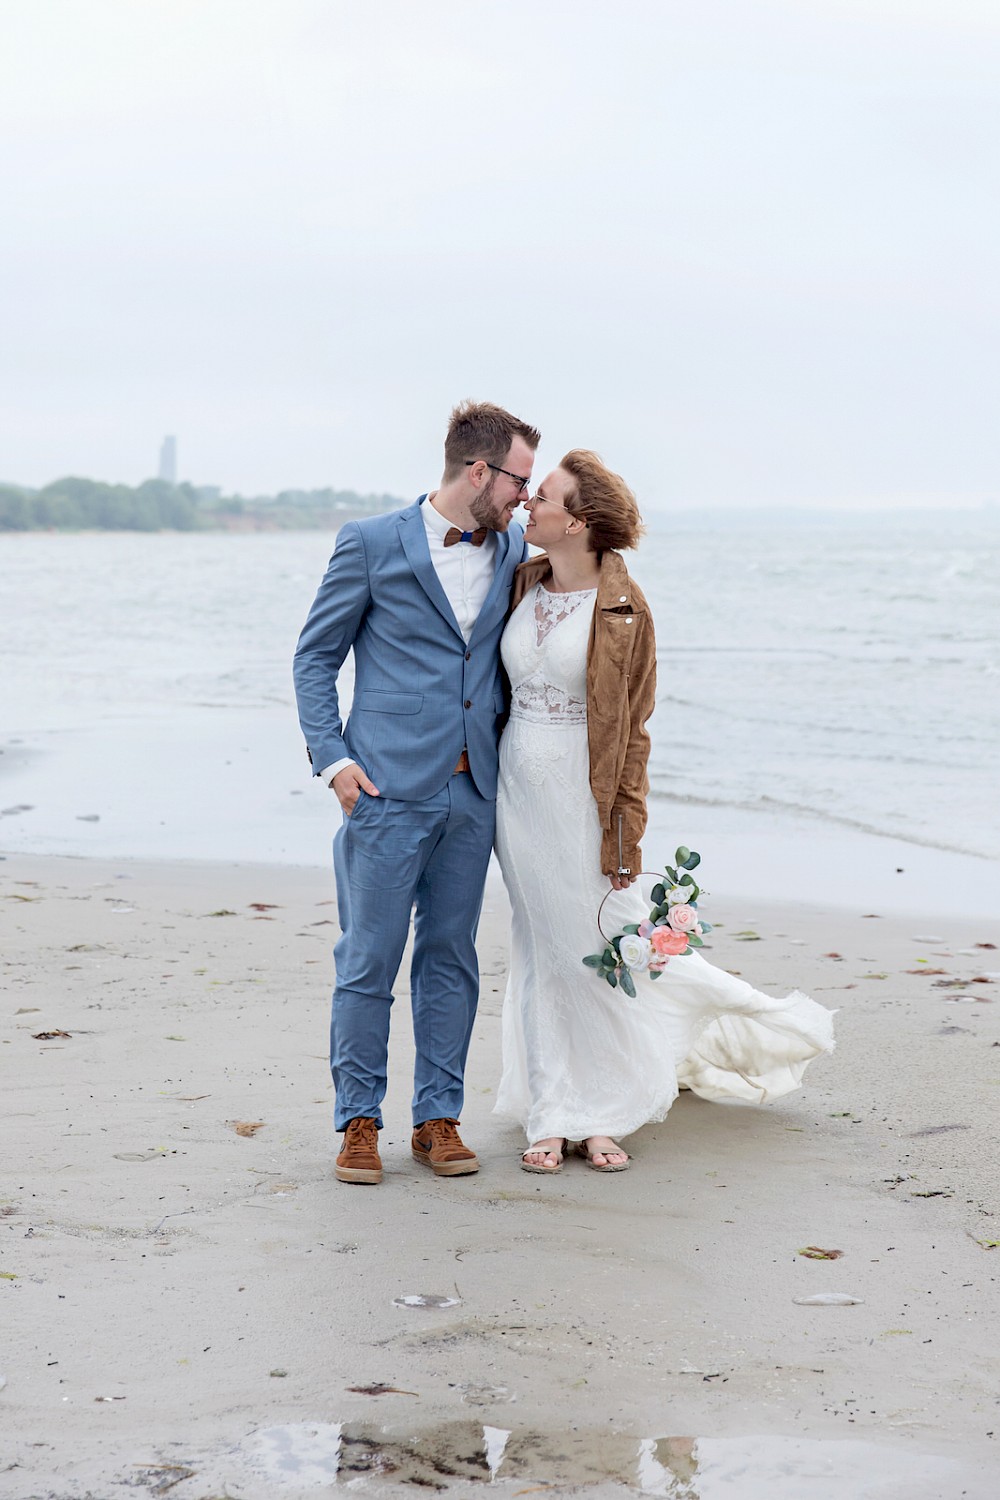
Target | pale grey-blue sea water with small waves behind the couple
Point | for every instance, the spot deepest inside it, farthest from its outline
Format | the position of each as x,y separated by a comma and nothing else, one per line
827,727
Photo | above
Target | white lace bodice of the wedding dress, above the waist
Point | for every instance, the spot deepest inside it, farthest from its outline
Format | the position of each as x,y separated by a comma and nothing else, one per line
545,656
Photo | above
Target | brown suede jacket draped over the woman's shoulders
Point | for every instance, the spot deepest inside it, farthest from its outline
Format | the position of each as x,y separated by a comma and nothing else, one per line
621,692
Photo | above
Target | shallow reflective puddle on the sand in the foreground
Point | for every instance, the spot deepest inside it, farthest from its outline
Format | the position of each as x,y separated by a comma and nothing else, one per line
767,1468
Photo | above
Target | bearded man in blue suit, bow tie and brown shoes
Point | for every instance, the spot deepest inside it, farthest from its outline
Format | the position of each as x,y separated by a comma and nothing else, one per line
421,598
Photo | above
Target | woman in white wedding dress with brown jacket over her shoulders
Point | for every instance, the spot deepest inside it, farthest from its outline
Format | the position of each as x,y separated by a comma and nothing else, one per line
584,1061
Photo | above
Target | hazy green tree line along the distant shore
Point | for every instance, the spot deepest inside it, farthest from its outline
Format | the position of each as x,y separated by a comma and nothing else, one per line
88,505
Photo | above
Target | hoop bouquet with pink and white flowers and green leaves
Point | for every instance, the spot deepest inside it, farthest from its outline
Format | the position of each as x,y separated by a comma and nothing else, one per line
672,929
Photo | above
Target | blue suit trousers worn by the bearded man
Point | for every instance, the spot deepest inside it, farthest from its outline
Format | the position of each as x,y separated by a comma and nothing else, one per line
392,859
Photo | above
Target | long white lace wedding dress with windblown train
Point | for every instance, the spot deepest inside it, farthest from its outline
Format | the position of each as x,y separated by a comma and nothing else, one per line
579,1057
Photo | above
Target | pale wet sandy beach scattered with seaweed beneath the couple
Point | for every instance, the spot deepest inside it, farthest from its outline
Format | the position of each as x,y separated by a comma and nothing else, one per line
193,1304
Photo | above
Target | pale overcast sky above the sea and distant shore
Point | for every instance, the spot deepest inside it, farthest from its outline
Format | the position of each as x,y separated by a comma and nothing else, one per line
747,251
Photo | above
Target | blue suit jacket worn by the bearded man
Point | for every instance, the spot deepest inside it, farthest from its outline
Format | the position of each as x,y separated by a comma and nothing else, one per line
422,694
